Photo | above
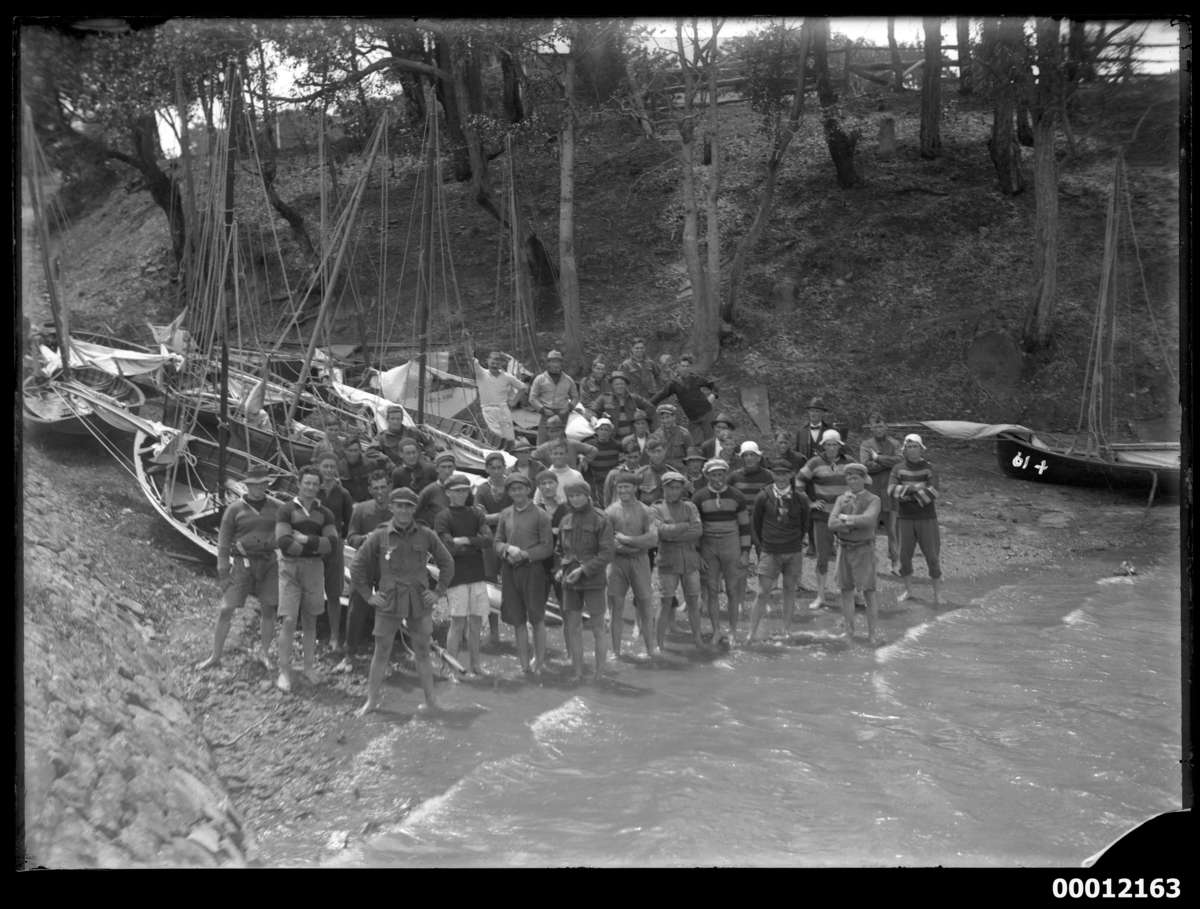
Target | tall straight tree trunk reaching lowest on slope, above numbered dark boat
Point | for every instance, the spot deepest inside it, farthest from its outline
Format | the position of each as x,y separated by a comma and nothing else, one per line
1046,183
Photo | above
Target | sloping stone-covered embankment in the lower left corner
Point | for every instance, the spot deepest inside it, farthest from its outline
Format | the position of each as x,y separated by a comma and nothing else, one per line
117,773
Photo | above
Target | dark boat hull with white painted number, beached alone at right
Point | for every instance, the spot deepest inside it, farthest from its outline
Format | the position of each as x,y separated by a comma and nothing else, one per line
1024,461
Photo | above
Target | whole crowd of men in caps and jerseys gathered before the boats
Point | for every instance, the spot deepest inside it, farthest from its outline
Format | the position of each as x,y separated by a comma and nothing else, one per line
591,522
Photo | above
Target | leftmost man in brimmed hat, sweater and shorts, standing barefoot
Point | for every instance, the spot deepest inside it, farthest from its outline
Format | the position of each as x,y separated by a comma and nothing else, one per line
247,564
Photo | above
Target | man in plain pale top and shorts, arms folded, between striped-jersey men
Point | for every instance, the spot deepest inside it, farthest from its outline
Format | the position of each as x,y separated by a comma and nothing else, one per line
854,519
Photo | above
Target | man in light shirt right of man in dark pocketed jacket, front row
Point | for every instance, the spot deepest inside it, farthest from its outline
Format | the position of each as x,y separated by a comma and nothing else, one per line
635,534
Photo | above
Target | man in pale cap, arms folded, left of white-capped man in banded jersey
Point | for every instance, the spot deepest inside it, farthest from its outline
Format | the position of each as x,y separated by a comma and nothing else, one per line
679,561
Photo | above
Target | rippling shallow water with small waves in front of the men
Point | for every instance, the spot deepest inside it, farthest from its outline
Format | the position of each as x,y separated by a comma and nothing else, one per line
1030,727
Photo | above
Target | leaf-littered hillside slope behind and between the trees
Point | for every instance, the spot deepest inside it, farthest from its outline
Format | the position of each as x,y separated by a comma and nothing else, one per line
897,279
